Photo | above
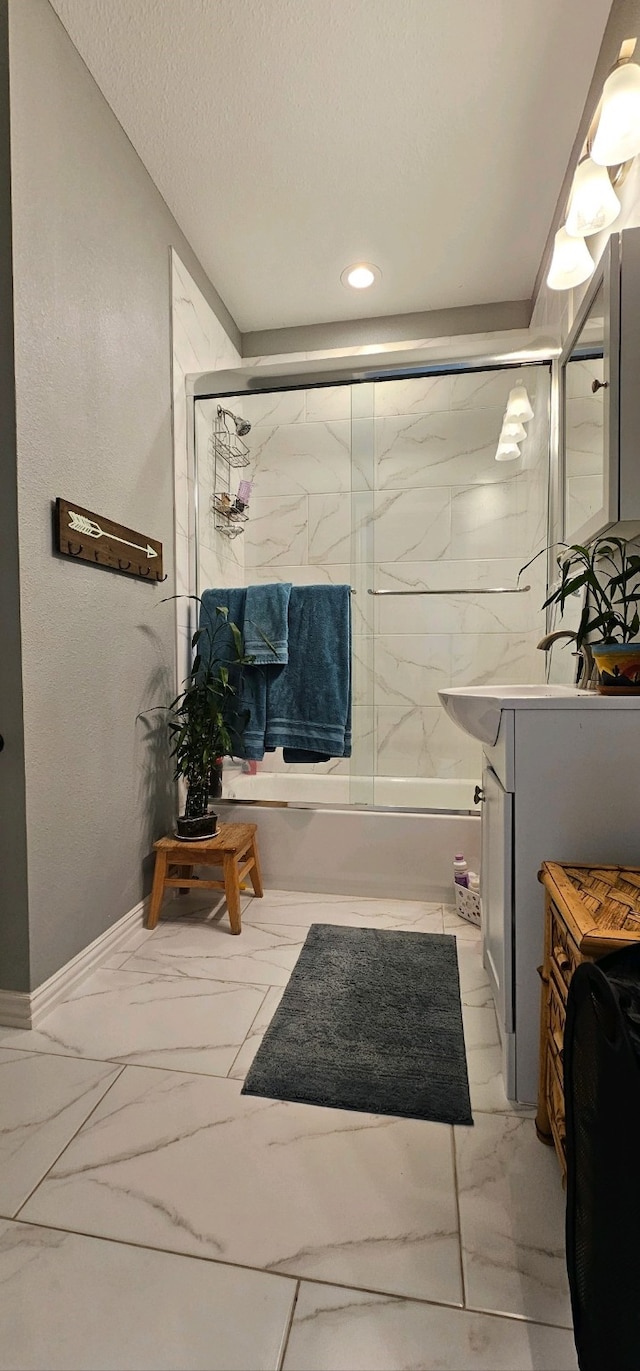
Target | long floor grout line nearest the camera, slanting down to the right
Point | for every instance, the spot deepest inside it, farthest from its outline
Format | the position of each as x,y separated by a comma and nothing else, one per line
286,1276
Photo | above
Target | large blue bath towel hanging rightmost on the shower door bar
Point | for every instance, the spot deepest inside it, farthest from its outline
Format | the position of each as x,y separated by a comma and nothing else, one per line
309,701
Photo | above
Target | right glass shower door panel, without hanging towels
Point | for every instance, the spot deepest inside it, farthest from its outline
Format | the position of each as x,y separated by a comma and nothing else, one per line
447,527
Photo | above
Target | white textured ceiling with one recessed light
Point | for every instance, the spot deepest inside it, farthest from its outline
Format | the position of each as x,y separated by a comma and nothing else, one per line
294,138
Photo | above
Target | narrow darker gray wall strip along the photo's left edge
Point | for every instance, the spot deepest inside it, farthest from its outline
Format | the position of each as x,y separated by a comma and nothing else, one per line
14,927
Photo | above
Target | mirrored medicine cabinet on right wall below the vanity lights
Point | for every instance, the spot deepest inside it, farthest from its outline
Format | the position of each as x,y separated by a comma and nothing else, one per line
601,400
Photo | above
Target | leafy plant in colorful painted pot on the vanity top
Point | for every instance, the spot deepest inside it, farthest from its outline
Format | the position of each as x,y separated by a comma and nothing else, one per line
611,622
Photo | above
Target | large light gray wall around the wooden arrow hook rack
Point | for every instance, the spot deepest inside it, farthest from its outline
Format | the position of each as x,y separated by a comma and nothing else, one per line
94,397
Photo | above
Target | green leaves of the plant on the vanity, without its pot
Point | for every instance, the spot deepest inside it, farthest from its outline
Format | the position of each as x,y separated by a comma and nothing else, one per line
611,577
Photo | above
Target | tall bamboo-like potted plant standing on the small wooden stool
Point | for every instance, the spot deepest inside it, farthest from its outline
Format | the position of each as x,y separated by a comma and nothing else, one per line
208,720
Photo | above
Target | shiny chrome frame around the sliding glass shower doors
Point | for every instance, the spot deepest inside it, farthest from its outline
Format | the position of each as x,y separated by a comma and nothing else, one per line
324,372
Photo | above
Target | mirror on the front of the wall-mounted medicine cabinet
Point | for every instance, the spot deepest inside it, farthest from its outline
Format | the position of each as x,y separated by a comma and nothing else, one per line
584,423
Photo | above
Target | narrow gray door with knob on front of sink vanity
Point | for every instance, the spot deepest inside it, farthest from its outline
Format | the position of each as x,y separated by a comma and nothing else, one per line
497,884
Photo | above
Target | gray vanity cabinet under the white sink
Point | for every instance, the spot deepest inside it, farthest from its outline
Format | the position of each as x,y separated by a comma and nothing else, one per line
563,785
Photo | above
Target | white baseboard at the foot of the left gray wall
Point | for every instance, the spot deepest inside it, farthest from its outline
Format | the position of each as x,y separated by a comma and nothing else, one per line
25,1010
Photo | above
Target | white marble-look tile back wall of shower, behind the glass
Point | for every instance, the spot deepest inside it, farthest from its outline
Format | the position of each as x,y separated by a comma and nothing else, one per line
395,486
